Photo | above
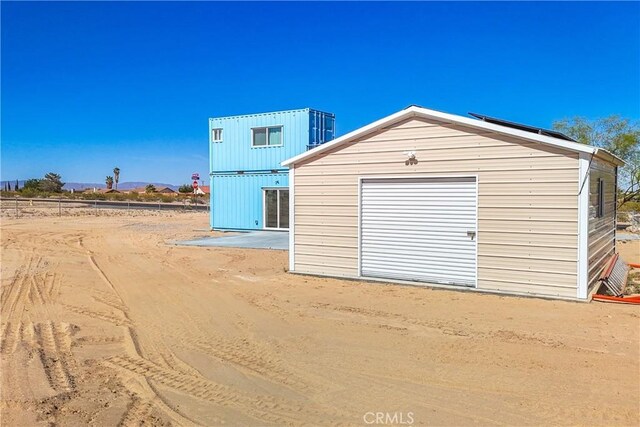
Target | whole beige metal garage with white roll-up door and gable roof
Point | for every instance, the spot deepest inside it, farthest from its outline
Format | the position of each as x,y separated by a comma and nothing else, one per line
428,197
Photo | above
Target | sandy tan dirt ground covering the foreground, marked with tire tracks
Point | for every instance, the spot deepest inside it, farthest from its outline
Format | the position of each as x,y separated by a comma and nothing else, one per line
103,323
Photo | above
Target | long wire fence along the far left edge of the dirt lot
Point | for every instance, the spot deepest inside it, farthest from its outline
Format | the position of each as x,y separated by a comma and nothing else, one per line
23,207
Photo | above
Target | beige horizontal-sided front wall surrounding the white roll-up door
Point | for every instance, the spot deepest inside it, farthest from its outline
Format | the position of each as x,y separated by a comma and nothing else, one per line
527,202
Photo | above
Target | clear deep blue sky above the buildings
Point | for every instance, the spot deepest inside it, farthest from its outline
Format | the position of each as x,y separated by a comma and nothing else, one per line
89,86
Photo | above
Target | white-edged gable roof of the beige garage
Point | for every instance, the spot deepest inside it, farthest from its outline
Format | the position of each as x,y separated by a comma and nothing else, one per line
420,112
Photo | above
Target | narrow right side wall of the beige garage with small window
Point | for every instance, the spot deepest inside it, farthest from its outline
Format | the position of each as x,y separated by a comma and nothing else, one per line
601,227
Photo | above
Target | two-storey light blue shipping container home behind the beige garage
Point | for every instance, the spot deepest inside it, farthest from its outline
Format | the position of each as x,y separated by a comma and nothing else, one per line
249,187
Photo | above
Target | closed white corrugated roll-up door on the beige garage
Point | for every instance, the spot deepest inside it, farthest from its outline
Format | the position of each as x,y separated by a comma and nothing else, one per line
419,229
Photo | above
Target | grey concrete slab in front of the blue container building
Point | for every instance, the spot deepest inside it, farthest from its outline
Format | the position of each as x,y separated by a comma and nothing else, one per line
252,240
